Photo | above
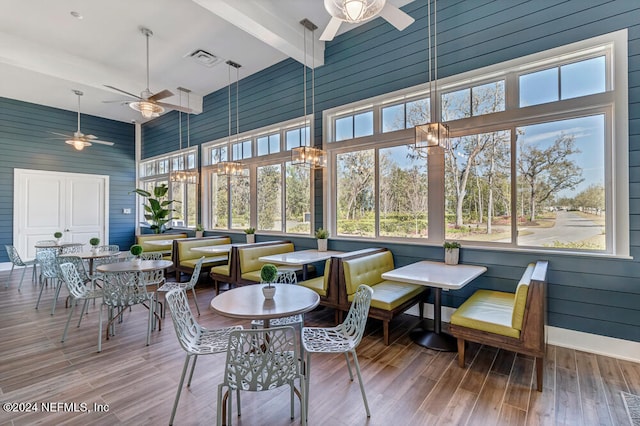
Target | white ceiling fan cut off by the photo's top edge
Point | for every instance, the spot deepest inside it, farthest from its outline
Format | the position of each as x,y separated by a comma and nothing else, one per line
354,11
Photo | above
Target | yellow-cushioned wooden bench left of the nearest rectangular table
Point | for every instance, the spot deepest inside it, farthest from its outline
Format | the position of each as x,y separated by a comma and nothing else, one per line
390,298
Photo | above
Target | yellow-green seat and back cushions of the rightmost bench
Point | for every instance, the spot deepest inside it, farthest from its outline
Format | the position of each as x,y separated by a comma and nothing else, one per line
496,311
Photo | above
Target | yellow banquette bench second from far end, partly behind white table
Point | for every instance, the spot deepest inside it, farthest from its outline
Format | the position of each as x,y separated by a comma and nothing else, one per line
184,259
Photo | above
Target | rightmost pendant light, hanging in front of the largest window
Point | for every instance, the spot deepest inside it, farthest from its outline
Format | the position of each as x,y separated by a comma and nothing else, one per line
434,134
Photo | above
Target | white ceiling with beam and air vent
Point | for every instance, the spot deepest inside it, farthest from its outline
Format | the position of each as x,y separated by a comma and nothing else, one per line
45,52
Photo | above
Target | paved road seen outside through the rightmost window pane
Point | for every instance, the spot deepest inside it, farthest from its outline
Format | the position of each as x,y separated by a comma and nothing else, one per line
570,226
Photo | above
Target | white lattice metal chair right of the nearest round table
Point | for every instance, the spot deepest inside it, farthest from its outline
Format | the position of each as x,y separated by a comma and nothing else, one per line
343,338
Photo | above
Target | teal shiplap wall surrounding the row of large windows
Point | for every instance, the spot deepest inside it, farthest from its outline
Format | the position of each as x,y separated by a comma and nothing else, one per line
594,295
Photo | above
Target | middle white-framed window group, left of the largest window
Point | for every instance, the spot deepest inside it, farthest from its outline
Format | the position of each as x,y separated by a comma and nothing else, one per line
282,200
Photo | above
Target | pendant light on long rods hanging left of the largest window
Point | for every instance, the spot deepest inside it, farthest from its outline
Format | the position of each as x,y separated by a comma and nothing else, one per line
307,155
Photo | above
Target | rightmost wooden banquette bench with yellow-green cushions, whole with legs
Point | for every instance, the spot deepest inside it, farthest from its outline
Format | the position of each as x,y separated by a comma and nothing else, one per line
511,321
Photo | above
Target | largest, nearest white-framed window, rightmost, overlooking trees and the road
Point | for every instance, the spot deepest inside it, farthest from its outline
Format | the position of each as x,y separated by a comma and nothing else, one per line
530,164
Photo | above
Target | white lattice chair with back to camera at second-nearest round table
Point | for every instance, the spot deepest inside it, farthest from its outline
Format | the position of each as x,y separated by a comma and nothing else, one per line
122,290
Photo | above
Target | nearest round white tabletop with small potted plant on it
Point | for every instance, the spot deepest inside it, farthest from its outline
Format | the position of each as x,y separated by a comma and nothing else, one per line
248,302
